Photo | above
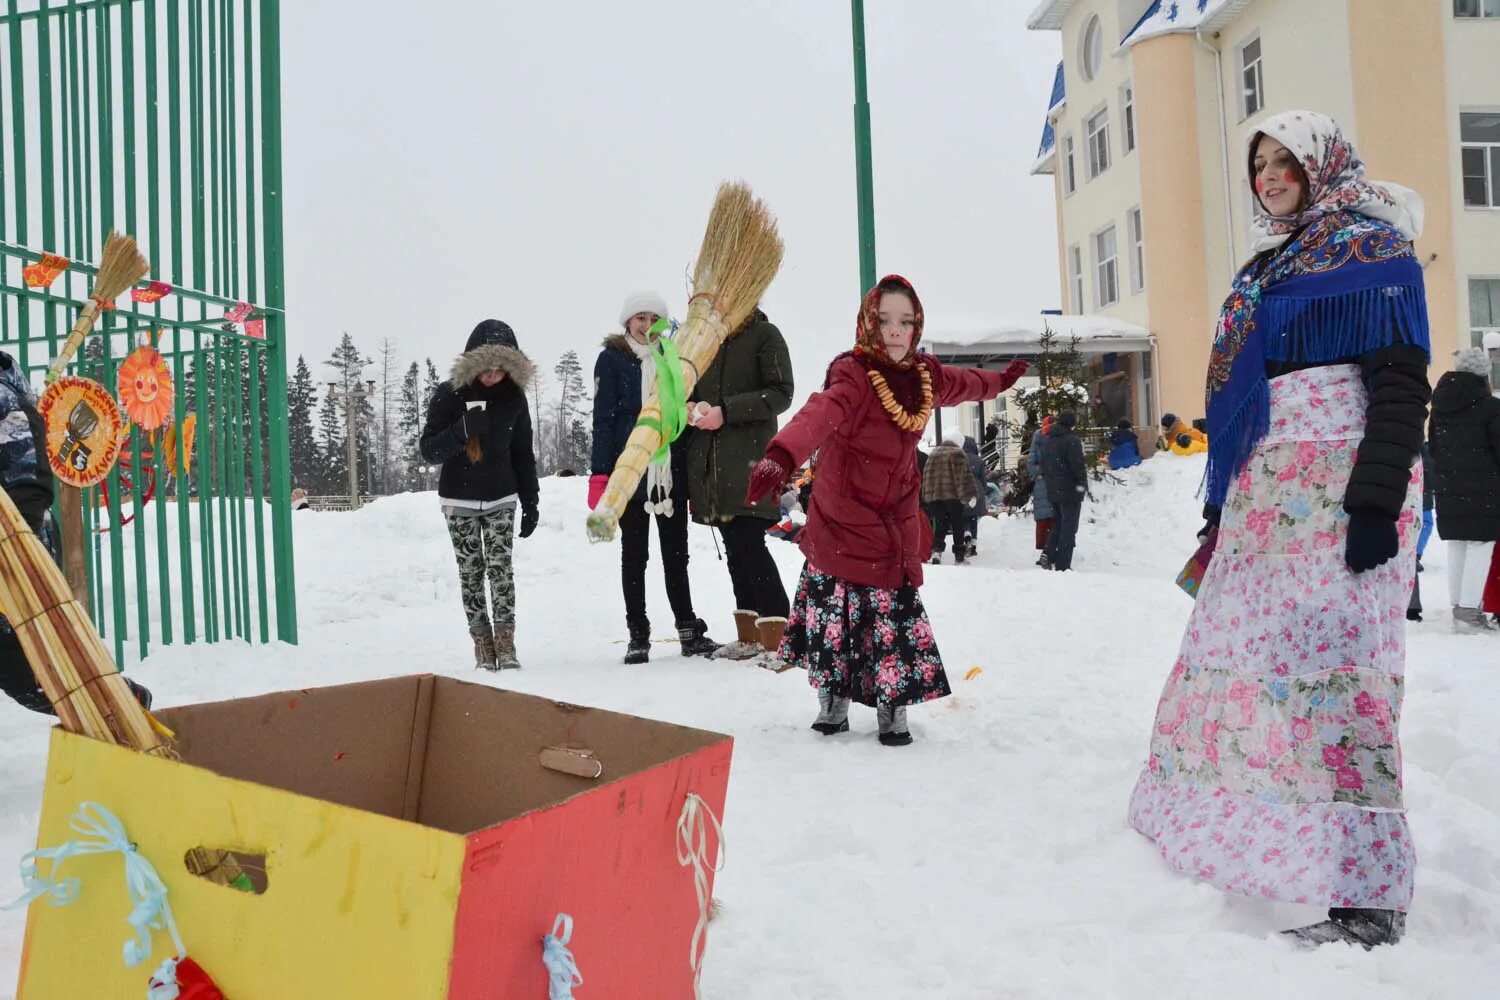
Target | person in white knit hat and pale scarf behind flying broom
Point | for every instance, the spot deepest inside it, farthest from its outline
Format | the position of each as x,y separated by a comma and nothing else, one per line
625,374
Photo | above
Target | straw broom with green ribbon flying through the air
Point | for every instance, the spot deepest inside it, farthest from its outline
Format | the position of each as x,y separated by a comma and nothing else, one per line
740,256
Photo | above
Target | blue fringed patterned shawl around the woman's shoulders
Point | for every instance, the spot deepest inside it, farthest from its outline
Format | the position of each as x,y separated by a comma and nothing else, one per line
1345,287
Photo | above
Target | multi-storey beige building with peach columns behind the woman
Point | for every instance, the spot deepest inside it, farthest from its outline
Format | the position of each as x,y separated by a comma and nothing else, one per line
1145,140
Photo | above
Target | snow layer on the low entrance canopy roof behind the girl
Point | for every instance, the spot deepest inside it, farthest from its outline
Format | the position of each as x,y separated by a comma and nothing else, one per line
974,335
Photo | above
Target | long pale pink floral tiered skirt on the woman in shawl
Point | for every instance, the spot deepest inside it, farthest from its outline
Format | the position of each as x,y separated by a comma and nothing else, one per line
1276,764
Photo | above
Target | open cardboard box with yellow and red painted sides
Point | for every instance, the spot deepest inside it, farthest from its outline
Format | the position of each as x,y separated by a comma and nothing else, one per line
415,848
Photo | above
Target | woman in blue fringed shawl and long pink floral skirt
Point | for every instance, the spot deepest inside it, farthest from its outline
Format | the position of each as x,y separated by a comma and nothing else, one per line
1276,764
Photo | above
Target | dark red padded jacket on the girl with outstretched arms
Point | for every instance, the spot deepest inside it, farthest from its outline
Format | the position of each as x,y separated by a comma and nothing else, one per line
866,522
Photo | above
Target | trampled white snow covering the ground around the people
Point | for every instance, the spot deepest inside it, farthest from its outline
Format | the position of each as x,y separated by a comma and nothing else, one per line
989,860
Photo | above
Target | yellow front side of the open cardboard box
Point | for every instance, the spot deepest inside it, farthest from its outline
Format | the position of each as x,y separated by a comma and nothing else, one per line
358,905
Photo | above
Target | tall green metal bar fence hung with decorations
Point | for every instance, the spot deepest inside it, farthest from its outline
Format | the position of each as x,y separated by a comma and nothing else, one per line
161,119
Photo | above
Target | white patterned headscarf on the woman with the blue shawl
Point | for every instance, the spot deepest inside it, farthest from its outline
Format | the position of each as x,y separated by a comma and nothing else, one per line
1336,181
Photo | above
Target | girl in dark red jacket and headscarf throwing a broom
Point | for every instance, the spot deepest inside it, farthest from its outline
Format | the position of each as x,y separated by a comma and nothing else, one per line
857,623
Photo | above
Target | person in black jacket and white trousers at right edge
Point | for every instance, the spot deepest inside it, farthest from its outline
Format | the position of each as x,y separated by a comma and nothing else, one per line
1466,479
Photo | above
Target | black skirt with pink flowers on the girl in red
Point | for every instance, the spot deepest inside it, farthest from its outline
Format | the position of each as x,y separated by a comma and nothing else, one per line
868,644
